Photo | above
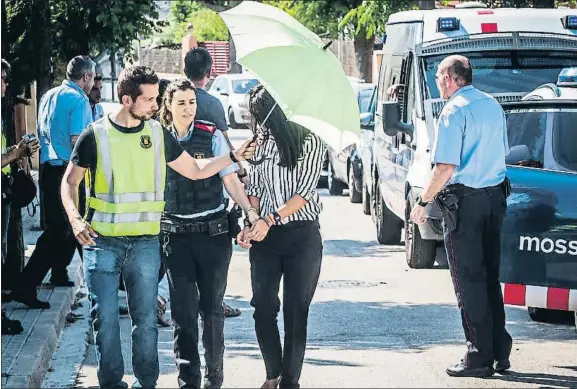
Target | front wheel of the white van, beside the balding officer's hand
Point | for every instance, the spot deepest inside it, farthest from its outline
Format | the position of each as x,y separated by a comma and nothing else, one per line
420,252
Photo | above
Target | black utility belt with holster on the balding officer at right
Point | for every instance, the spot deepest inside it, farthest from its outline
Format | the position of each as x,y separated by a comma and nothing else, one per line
448,199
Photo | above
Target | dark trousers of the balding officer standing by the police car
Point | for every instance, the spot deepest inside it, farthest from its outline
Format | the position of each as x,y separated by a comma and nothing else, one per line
473,250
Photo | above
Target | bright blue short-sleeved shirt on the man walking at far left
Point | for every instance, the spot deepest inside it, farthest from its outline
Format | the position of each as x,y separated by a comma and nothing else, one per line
64,112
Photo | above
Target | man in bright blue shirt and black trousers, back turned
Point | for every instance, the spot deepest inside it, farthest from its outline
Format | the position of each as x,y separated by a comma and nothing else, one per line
64,111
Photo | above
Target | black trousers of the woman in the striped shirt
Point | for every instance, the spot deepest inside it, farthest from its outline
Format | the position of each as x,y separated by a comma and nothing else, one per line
292,251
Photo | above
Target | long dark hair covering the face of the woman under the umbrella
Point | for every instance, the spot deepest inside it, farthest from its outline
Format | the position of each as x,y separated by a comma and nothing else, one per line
289,137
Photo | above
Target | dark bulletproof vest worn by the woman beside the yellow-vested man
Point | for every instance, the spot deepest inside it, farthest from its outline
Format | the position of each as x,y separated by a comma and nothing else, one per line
184,196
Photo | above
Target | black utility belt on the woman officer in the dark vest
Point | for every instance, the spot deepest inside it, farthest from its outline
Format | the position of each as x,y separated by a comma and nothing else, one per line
216,225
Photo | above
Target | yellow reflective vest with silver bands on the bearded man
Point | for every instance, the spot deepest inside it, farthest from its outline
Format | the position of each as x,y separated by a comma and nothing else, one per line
128,193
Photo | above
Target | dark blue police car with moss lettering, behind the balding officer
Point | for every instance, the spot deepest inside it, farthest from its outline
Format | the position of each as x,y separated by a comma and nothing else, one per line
539,237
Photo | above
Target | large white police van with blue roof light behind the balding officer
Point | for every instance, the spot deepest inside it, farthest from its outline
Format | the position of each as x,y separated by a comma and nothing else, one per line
512,51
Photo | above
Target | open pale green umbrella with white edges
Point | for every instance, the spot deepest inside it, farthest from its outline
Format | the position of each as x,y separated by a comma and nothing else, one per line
305,78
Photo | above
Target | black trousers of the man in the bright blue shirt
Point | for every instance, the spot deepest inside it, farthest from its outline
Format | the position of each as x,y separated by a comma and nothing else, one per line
55,246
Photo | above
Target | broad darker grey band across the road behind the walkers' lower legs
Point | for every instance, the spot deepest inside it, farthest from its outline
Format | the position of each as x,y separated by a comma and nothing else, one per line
411,328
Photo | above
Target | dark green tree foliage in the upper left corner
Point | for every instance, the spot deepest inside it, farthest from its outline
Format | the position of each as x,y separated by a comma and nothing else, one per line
69,28
